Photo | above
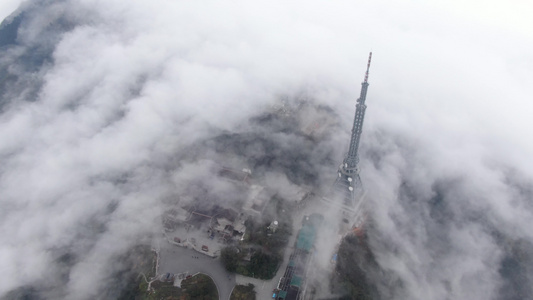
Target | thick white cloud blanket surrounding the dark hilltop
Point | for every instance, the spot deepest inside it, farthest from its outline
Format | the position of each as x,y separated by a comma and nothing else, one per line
132,83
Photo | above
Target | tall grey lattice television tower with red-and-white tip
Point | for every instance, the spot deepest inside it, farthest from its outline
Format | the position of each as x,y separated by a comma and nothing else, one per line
348,184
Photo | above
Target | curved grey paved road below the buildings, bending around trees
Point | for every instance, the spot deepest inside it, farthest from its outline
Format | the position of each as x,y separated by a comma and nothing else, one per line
175,259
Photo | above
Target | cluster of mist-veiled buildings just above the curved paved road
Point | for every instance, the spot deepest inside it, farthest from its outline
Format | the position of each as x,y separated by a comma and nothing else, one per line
207,229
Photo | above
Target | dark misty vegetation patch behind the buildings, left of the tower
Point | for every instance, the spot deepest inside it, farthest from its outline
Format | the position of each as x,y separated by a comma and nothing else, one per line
273,142
